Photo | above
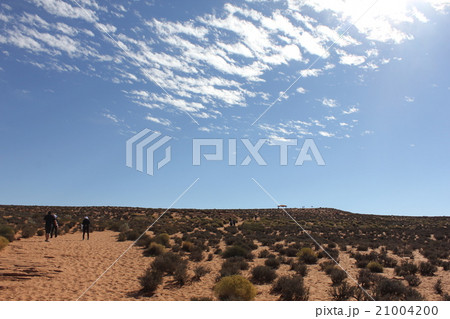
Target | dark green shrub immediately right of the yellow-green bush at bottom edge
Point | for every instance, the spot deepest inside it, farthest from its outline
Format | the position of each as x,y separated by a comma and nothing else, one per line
291,288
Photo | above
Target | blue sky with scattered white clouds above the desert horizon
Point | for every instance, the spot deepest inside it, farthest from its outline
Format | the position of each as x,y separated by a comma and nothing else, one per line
366,80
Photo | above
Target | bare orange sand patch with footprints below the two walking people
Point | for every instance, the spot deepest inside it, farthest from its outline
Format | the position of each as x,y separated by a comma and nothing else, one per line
31,269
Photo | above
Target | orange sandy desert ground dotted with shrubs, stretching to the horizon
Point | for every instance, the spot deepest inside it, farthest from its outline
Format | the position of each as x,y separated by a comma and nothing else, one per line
190,252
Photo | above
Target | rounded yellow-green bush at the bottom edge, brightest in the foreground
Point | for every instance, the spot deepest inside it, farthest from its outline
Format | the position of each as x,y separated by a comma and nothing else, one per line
235,288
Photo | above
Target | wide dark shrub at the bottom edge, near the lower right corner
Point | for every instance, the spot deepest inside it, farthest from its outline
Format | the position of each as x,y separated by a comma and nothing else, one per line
393,290
